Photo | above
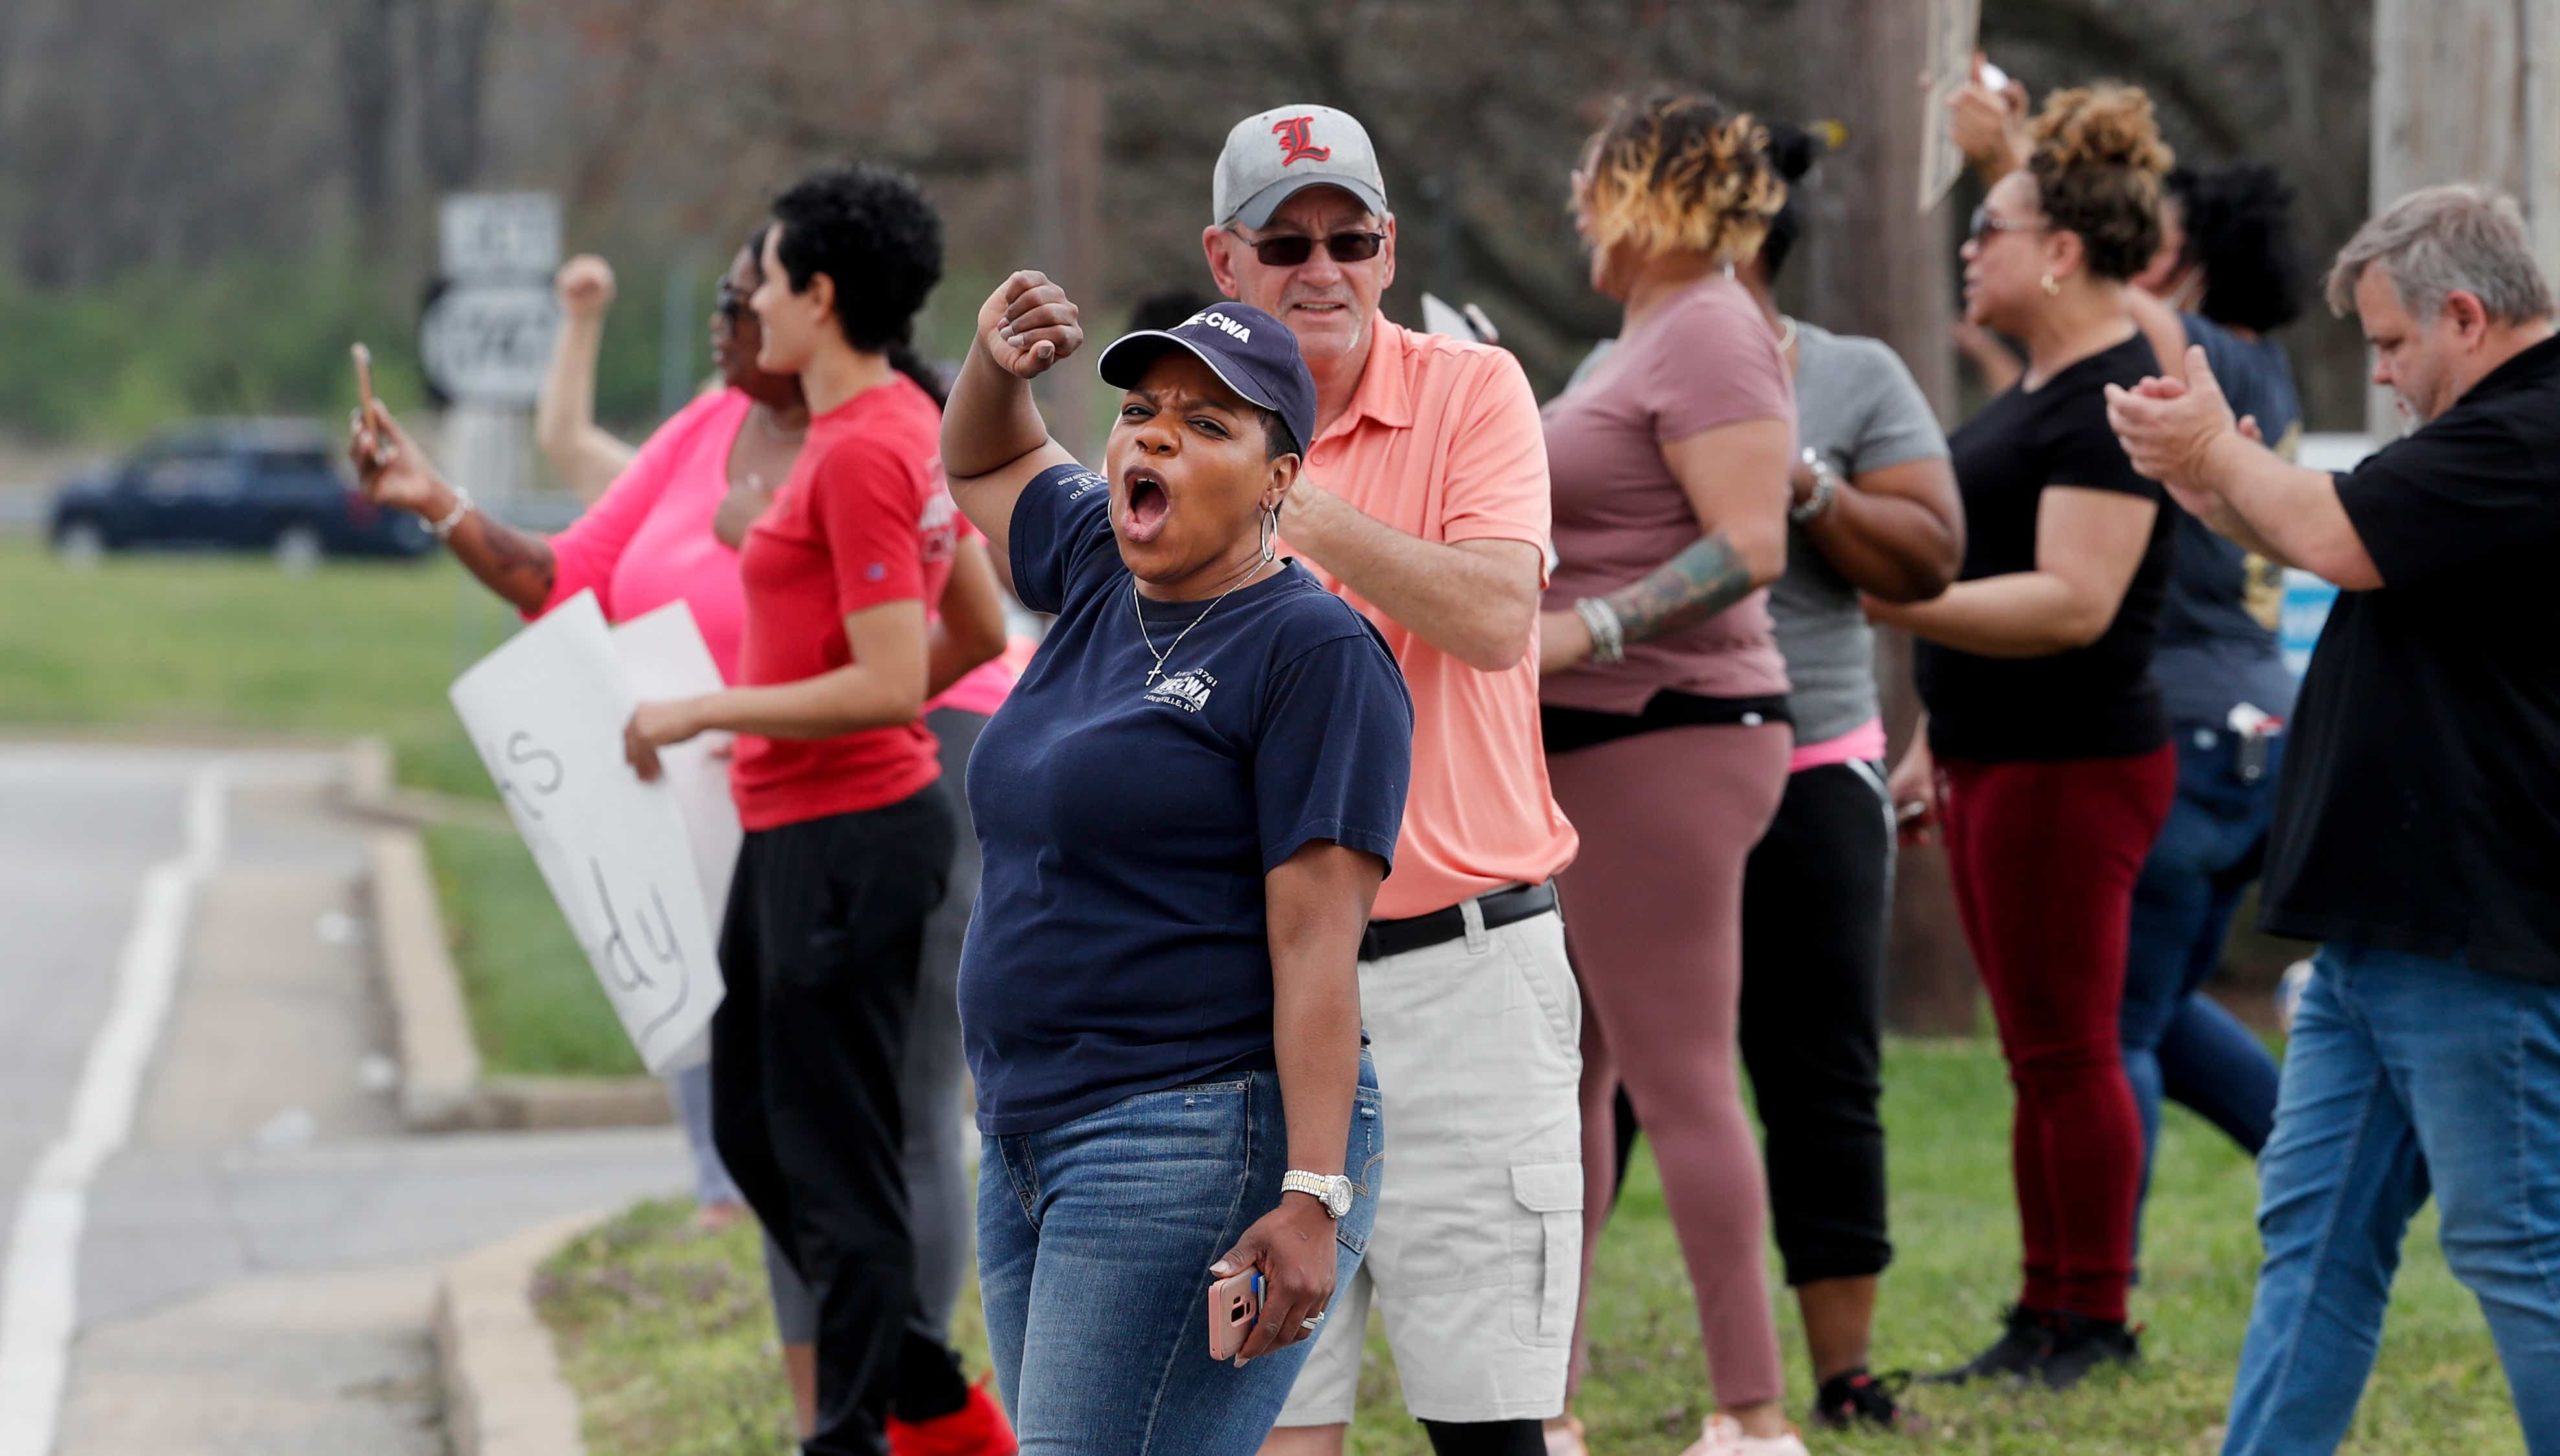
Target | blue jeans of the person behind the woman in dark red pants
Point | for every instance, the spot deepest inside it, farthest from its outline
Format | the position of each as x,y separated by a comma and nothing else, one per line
2177,1040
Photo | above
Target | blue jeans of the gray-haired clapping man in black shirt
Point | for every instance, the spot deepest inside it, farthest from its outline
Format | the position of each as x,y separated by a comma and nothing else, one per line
2405,1076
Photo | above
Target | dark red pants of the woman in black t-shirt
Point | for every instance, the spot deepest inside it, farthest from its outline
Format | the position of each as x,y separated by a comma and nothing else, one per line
2044,859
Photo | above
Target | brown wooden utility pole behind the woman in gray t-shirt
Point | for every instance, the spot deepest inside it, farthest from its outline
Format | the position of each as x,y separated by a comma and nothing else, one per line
1875,265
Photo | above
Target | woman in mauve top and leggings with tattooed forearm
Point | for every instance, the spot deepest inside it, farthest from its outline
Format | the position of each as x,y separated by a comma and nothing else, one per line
1665,700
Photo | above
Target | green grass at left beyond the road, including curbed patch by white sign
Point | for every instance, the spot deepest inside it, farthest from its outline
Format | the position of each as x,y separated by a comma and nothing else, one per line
229,644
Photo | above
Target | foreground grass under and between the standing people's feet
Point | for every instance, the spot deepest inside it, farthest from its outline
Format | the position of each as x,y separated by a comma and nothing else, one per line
667,1334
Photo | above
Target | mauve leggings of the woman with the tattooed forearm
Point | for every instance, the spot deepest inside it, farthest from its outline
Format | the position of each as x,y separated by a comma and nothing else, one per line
1652,917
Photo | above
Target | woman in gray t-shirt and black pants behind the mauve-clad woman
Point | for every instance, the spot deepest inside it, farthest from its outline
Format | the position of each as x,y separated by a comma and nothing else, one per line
1875,513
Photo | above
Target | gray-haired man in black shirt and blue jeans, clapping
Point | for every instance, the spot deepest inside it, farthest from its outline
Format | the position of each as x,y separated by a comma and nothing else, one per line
2418,828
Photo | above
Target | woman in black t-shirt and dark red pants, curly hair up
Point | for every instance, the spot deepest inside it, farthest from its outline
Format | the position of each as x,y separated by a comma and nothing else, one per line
2047,748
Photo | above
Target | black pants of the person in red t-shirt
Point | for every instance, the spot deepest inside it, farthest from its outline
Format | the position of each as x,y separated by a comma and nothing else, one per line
820,956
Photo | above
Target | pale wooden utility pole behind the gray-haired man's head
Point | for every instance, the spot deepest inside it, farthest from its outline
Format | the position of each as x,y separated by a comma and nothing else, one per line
2469,91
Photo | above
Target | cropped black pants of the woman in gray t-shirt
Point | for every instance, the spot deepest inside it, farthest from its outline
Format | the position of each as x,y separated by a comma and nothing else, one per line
1816,905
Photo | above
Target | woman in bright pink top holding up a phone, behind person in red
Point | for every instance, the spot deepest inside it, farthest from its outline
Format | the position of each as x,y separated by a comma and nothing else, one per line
669,531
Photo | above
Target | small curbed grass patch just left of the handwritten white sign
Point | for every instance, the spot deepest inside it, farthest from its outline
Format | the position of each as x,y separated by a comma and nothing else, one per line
536,1007
